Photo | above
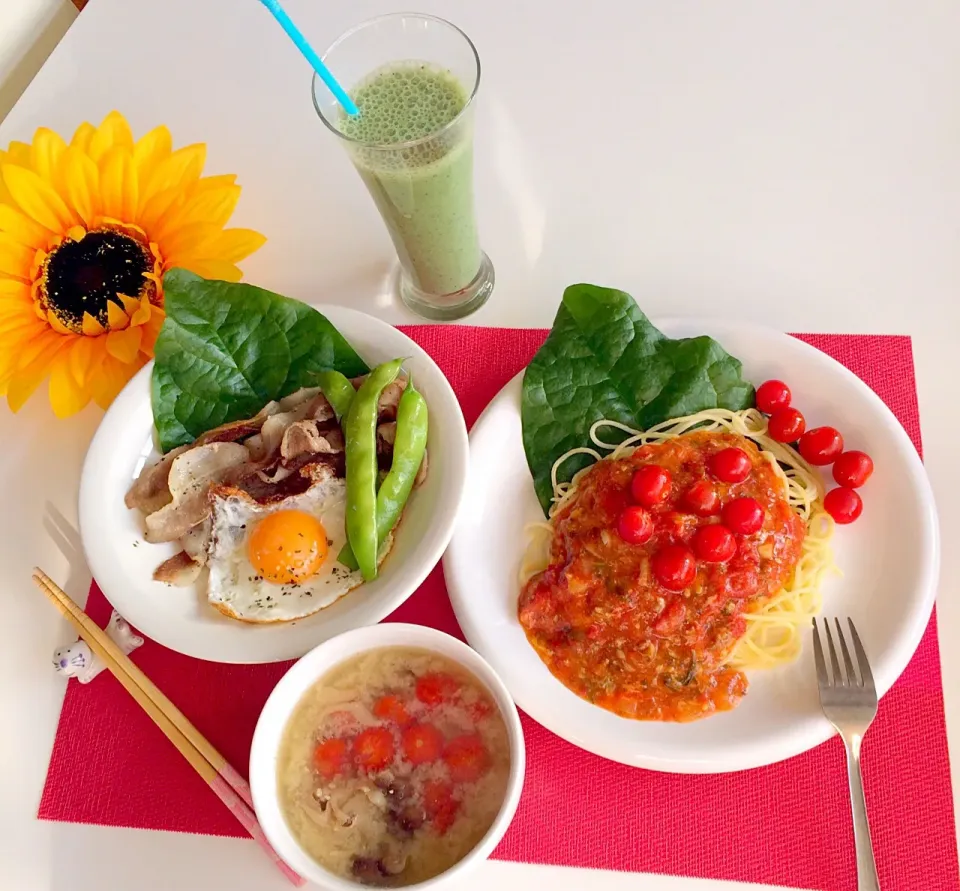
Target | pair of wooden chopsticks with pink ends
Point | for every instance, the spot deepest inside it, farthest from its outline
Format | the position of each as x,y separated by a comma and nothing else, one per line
228,785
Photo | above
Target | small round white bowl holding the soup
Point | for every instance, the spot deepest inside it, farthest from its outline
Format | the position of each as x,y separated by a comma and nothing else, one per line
295,683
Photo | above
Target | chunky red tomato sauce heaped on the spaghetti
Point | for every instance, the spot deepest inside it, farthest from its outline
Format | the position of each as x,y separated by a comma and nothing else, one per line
606,628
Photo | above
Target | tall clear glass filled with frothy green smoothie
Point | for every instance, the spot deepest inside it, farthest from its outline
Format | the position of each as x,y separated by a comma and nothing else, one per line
423,186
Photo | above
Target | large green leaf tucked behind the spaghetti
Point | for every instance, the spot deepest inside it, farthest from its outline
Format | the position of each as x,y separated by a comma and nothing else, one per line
603,359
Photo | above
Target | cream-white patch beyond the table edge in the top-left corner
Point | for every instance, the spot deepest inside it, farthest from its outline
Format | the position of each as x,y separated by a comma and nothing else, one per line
29,30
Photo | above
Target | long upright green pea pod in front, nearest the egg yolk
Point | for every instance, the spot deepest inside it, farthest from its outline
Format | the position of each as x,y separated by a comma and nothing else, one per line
360,433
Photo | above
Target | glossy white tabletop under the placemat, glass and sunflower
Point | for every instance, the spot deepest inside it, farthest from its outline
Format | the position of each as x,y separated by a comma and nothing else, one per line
791,163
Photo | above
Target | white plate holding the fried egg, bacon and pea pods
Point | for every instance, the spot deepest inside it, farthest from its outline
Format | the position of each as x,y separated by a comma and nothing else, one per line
179,618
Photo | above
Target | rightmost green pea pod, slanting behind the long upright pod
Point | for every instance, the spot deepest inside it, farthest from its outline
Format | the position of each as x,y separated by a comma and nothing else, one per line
409,447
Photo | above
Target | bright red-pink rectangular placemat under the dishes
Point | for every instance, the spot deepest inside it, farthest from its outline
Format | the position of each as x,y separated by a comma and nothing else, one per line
787,824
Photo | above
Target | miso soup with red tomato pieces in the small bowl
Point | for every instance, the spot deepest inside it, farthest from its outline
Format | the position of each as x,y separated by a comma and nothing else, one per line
393,766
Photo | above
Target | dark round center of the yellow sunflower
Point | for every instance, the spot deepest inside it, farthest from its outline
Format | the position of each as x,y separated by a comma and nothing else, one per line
81,276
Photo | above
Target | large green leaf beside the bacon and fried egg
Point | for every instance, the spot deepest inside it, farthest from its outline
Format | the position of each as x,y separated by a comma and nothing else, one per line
225,350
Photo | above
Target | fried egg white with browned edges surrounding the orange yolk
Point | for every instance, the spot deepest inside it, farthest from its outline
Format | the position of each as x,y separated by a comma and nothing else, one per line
235,588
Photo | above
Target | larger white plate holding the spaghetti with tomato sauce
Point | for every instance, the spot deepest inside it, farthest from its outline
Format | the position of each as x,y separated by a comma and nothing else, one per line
889,559
